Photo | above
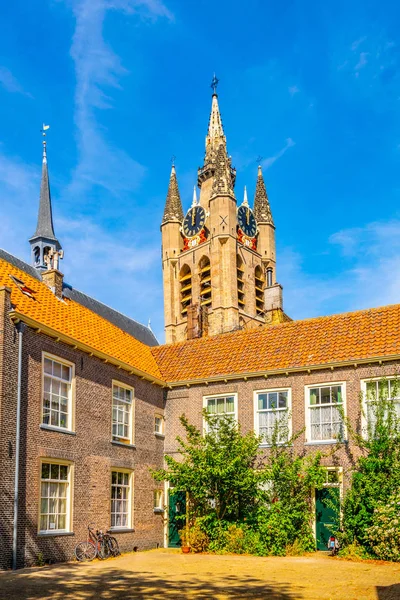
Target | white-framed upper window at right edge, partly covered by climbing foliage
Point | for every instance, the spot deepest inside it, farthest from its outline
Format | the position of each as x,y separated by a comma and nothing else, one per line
385,389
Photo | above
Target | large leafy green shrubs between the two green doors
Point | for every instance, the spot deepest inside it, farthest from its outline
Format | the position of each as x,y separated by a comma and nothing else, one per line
239,502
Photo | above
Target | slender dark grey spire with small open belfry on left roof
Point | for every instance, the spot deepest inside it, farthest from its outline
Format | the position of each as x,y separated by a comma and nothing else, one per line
44,238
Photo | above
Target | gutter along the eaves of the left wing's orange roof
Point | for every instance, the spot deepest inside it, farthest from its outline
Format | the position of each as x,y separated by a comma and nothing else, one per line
106,358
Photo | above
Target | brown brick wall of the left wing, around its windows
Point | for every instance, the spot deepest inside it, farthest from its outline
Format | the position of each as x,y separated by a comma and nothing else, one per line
89,450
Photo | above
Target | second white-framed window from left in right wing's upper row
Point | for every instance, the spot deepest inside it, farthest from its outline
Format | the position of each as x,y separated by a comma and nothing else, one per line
271,410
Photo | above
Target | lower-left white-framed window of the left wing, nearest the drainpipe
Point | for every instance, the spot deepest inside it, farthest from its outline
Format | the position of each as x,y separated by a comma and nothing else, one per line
55,497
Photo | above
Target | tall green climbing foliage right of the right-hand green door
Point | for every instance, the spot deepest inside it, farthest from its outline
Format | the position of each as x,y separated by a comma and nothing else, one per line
377,474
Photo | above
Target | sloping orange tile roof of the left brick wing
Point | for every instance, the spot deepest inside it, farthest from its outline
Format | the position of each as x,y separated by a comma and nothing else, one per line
69,318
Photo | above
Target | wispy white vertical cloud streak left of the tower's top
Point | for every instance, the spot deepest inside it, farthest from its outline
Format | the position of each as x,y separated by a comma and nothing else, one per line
98,70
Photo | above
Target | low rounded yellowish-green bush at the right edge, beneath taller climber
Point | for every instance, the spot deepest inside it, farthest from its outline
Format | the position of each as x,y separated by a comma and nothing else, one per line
384,534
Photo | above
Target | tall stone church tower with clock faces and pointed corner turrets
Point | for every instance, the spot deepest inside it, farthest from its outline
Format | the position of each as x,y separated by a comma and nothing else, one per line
219,260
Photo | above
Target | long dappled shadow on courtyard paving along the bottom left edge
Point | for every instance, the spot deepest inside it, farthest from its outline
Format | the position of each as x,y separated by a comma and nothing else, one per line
116,583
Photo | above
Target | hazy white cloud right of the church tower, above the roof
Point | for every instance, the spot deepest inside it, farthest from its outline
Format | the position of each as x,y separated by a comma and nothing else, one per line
367,275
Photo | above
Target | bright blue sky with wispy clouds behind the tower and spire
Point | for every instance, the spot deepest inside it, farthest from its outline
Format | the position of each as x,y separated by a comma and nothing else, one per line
312,87
